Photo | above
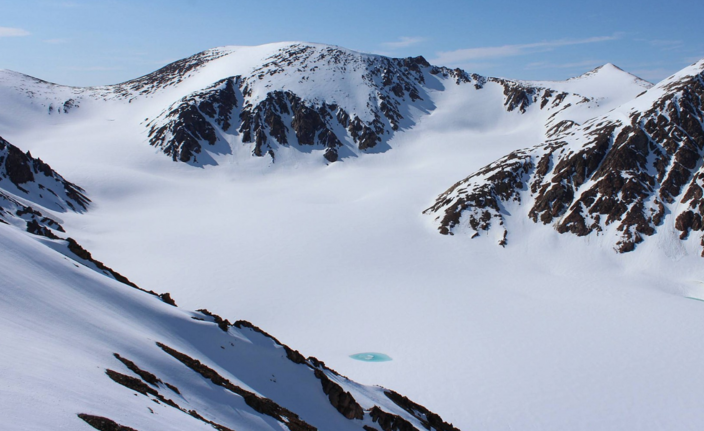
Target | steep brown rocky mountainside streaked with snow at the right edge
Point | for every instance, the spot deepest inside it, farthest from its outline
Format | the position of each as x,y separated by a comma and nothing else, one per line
625,174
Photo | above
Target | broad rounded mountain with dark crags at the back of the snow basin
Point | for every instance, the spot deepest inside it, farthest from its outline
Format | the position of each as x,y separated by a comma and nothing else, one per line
337,102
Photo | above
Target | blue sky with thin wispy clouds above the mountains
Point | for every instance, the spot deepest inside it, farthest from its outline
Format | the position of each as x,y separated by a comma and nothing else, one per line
92,42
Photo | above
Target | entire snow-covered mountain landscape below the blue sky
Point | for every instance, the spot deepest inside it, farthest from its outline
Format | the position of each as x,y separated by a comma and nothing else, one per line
284,184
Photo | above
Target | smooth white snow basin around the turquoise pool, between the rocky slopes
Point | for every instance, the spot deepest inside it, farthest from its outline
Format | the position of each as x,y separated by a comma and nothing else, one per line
550,333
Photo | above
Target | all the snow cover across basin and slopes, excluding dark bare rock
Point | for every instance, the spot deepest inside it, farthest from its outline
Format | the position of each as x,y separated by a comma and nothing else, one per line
551,332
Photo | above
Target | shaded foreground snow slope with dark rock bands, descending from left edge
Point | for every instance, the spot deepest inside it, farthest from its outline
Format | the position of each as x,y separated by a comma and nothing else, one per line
84,346
